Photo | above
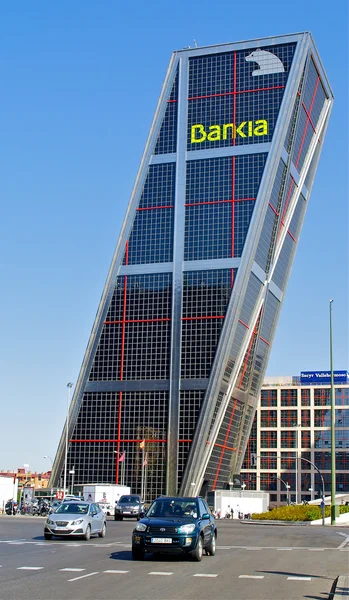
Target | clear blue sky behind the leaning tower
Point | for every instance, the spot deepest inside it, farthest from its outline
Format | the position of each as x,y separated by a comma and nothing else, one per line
79,86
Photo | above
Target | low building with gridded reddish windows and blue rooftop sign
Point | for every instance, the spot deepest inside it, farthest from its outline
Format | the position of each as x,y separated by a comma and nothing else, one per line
292,425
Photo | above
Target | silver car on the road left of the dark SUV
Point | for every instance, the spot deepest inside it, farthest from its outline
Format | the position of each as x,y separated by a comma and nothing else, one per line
76,519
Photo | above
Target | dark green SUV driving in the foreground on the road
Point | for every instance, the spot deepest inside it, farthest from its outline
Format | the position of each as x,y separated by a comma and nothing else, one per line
176,525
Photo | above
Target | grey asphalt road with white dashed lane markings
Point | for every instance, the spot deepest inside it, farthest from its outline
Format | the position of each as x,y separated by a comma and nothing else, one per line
252,562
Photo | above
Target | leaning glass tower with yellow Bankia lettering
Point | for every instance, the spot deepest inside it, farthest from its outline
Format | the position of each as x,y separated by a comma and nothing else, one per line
170,380
